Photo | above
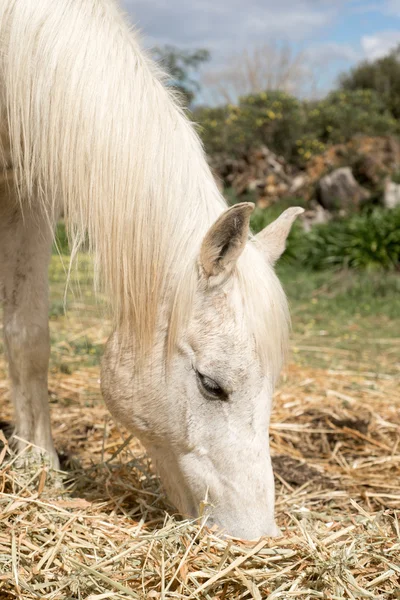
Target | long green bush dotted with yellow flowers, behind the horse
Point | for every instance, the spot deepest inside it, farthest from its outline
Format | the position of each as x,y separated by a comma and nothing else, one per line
296,130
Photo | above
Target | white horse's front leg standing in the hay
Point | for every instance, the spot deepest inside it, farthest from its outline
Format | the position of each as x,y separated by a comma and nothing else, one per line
26,247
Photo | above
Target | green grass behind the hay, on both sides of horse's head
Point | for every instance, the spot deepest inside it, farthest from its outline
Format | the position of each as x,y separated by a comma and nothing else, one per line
344,319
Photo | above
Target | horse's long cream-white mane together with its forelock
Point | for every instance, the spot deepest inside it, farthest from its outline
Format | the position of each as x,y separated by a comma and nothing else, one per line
92,126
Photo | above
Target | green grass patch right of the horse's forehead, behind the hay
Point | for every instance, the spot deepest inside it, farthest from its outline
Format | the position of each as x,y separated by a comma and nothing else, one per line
344,319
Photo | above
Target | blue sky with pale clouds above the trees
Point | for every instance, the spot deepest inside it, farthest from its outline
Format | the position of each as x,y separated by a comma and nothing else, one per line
334,34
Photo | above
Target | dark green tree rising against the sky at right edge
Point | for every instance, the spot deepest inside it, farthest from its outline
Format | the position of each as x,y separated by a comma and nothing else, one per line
381,75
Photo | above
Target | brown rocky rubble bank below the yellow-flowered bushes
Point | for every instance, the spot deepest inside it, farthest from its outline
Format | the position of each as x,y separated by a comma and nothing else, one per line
369,163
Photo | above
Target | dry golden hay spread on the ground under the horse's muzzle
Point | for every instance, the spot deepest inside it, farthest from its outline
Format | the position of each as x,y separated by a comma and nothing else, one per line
106,534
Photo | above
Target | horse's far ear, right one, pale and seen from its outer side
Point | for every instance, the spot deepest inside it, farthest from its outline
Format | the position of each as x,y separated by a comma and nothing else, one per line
272,239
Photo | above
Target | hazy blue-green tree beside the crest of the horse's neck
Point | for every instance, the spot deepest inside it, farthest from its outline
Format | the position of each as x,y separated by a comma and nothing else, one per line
181,67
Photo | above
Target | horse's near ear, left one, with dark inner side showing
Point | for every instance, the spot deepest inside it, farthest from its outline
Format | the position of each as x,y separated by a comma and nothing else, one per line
225,240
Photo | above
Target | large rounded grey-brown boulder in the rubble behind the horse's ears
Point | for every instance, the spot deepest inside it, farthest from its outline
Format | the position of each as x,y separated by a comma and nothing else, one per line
339,191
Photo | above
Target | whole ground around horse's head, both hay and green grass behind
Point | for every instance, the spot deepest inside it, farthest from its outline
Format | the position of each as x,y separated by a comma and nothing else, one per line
335,439
